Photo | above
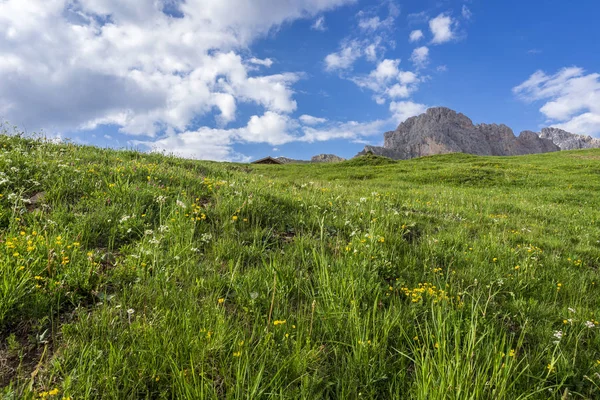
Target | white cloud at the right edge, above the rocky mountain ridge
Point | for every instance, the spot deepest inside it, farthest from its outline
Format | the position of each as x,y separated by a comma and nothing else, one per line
571,98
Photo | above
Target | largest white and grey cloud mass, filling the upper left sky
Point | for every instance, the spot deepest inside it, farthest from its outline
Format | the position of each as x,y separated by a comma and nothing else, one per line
144,66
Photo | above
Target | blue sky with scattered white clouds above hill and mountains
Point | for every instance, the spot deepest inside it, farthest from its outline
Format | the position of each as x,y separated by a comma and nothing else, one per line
238,80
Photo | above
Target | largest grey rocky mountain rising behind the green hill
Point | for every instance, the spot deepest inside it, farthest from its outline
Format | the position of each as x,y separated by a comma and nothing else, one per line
441,130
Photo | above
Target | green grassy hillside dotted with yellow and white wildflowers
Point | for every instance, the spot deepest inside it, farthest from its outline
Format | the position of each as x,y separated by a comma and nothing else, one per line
127,275
